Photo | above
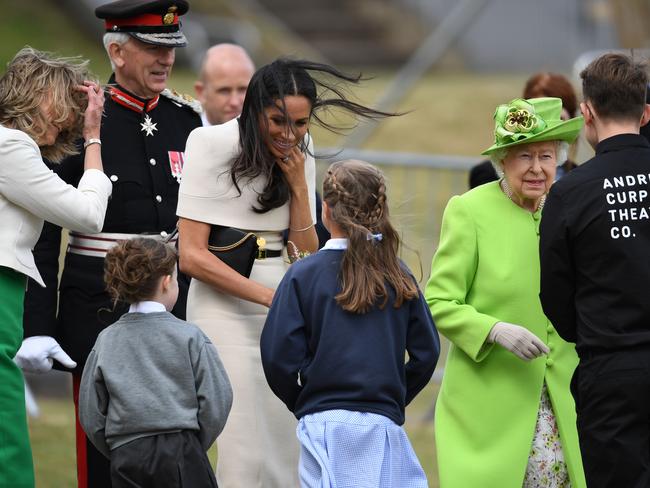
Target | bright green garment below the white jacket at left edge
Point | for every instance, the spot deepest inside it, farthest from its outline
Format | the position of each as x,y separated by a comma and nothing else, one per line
16,468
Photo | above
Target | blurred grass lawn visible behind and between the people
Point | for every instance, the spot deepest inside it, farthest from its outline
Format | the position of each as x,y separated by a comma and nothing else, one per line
448,113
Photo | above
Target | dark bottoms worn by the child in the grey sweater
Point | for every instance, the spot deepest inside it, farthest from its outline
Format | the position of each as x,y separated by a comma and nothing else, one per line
162,461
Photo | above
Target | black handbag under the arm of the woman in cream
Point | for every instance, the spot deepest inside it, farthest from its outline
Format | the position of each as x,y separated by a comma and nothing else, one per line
236,248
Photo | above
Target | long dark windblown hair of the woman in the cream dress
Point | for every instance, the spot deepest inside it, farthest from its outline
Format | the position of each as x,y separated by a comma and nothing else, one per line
271,83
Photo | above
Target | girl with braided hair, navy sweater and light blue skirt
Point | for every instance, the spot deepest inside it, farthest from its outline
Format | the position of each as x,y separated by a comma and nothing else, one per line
334,342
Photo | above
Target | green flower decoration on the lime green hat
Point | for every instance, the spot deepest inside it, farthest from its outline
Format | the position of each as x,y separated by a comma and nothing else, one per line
516,121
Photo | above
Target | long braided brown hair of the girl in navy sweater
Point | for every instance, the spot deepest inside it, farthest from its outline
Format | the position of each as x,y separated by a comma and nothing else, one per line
355,192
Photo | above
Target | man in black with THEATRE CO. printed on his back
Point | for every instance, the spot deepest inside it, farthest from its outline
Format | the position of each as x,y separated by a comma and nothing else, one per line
595,274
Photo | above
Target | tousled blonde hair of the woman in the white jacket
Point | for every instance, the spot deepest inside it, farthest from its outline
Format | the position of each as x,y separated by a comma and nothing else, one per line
33,77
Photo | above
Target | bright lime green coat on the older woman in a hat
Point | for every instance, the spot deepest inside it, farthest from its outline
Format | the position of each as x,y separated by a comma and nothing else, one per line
486,270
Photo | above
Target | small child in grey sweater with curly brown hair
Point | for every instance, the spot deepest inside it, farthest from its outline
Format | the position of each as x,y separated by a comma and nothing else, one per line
154,394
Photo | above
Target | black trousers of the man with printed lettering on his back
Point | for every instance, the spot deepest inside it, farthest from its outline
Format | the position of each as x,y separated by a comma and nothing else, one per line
612,395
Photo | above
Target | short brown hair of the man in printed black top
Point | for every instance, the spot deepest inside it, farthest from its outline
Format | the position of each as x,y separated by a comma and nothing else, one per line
616,86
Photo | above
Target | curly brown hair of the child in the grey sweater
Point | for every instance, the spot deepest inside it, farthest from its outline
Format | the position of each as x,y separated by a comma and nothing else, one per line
133,268
